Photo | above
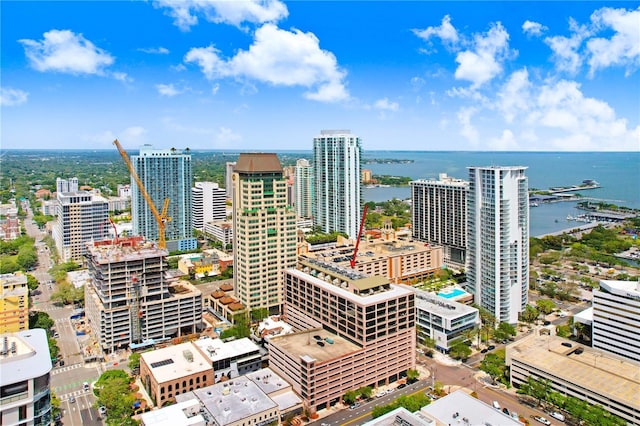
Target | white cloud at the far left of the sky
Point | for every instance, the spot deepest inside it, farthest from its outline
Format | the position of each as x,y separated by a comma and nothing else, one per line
66,52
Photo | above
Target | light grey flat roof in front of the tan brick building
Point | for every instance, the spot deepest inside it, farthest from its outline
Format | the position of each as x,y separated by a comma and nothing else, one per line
231,401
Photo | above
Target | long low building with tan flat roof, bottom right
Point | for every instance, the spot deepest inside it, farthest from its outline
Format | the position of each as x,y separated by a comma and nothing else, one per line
594,376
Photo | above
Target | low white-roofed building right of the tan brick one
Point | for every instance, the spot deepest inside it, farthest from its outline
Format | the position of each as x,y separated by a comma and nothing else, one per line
230,359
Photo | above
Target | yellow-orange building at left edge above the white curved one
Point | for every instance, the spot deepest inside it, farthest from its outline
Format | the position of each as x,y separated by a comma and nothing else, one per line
14,303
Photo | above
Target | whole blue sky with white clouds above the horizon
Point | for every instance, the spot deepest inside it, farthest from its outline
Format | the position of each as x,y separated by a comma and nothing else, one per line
269,75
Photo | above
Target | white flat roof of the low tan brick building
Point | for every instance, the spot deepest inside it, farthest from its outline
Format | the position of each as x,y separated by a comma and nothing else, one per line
177,361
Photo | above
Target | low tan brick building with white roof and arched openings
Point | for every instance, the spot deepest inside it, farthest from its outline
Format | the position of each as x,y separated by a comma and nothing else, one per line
173,370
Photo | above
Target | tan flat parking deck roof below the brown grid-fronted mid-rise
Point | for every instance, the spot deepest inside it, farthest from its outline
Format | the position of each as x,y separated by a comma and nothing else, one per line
304,345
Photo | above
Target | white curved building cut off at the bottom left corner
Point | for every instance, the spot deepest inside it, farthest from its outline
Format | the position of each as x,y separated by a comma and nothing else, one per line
25,369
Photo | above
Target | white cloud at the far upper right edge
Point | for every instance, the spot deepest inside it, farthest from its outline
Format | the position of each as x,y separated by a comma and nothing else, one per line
623,48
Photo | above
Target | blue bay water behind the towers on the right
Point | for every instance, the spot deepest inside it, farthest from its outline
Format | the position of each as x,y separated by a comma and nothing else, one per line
618,174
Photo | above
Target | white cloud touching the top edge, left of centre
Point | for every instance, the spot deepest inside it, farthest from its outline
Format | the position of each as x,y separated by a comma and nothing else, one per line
185,12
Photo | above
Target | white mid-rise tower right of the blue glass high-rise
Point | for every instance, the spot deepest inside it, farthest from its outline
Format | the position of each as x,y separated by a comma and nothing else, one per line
207,204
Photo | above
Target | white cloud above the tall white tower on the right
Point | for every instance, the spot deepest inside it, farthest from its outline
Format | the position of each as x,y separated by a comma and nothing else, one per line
484,61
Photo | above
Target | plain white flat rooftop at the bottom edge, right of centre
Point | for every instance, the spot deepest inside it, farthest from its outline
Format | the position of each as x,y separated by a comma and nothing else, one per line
459,406
